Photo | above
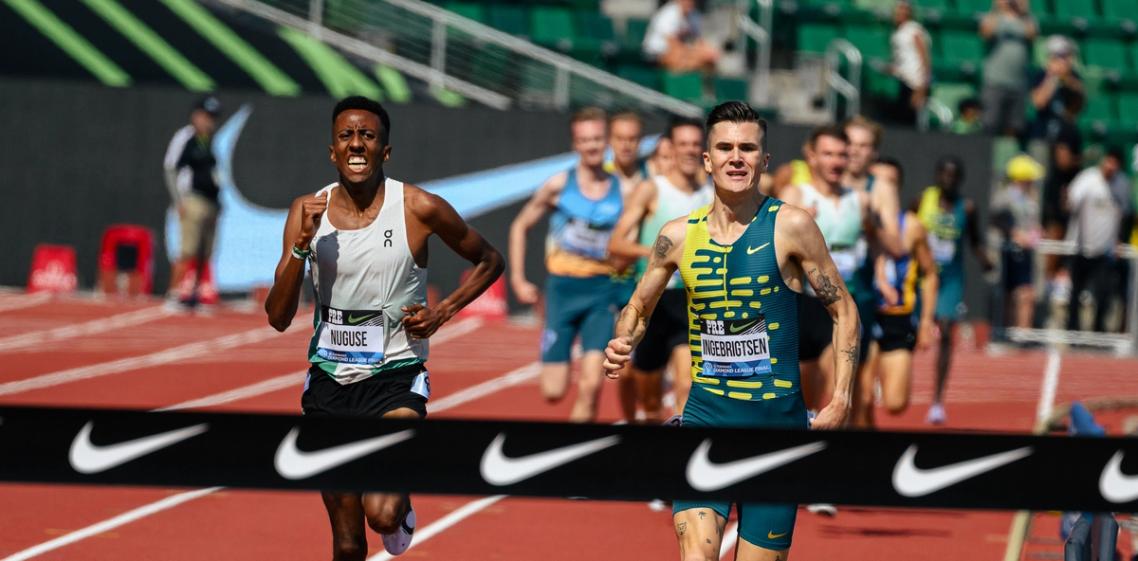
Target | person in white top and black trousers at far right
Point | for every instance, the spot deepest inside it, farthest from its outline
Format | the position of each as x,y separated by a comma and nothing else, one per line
1101,212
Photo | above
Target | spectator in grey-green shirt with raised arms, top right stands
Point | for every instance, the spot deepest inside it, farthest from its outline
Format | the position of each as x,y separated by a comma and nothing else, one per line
1009,29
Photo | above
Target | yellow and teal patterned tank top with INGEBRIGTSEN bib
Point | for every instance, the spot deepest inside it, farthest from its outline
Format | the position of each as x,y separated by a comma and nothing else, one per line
743,318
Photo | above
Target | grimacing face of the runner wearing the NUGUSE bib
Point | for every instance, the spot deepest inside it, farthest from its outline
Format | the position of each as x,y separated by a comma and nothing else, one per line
358,148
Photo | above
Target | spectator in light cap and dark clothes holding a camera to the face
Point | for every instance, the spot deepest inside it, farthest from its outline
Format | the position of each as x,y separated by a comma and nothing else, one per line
1057,92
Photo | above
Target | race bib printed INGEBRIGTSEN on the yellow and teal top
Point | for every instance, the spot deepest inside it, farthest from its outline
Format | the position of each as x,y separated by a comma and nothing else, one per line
735,349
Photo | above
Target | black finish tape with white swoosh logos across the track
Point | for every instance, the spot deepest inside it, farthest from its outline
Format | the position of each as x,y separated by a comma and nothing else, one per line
557,460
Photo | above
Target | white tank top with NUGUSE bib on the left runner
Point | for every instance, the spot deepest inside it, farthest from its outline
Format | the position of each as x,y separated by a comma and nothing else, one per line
362,279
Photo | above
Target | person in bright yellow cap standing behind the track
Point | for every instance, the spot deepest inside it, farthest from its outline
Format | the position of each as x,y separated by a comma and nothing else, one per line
1017,216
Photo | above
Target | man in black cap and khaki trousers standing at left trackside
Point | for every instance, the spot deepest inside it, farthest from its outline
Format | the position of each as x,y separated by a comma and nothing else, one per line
192,179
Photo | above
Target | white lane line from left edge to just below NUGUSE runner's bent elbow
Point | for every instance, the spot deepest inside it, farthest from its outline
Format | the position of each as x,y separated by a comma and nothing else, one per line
166,357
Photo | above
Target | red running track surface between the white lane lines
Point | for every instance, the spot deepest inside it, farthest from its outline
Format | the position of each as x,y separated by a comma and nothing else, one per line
985,393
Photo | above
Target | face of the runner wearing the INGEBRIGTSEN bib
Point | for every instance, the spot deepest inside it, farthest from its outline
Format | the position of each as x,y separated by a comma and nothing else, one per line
735,158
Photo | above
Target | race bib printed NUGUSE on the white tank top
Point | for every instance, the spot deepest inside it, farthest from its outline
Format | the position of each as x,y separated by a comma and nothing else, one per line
351,336
